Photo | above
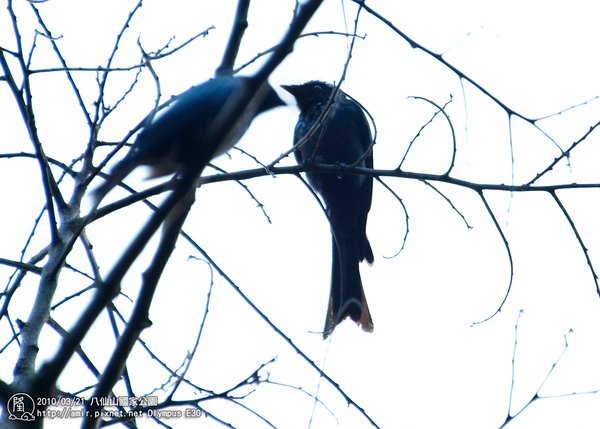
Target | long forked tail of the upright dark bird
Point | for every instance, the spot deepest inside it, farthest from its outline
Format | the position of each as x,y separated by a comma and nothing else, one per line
347,296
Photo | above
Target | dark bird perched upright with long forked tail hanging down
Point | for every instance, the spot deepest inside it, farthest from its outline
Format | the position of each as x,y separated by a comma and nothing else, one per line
342,136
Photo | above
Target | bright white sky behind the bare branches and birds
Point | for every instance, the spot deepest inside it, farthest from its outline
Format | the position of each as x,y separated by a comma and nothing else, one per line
425,365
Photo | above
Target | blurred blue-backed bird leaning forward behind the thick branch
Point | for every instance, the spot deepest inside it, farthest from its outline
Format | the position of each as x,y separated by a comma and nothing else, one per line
181,139
